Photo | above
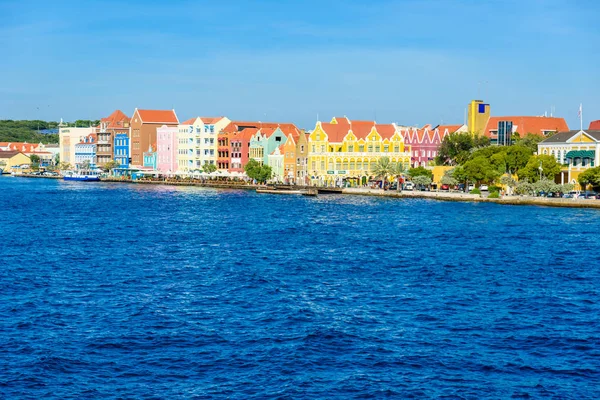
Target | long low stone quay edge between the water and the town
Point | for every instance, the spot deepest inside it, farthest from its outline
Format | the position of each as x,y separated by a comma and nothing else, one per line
439,196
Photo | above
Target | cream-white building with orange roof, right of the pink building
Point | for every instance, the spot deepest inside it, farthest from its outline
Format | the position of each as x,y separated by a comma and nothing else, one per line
197,142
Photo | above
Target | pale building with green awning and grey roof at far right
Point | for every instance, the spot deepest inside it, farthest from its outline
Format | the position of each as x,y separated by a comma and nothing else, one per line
576,150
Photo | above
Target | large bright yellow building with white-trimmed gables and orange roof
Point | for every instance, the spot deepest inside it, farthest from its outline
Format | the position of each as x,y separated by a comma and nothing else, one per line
348,150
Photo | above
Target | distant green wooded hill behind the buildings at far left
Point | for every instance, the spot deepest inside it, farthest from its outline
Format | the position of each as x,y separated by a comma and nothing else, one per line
35,131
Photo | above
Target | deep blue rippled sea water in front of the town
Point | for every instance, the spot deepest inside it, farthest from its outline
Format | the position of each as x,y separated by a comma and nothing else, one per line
135,291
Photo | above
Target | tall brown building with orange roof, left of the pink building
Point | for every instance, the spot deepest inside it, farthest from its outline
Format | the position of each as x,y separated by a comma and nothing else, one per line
144,124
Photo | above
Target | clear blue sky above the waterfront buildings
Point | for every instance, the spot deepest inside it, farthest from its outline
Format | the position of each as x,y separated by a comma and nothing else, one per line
412,62
